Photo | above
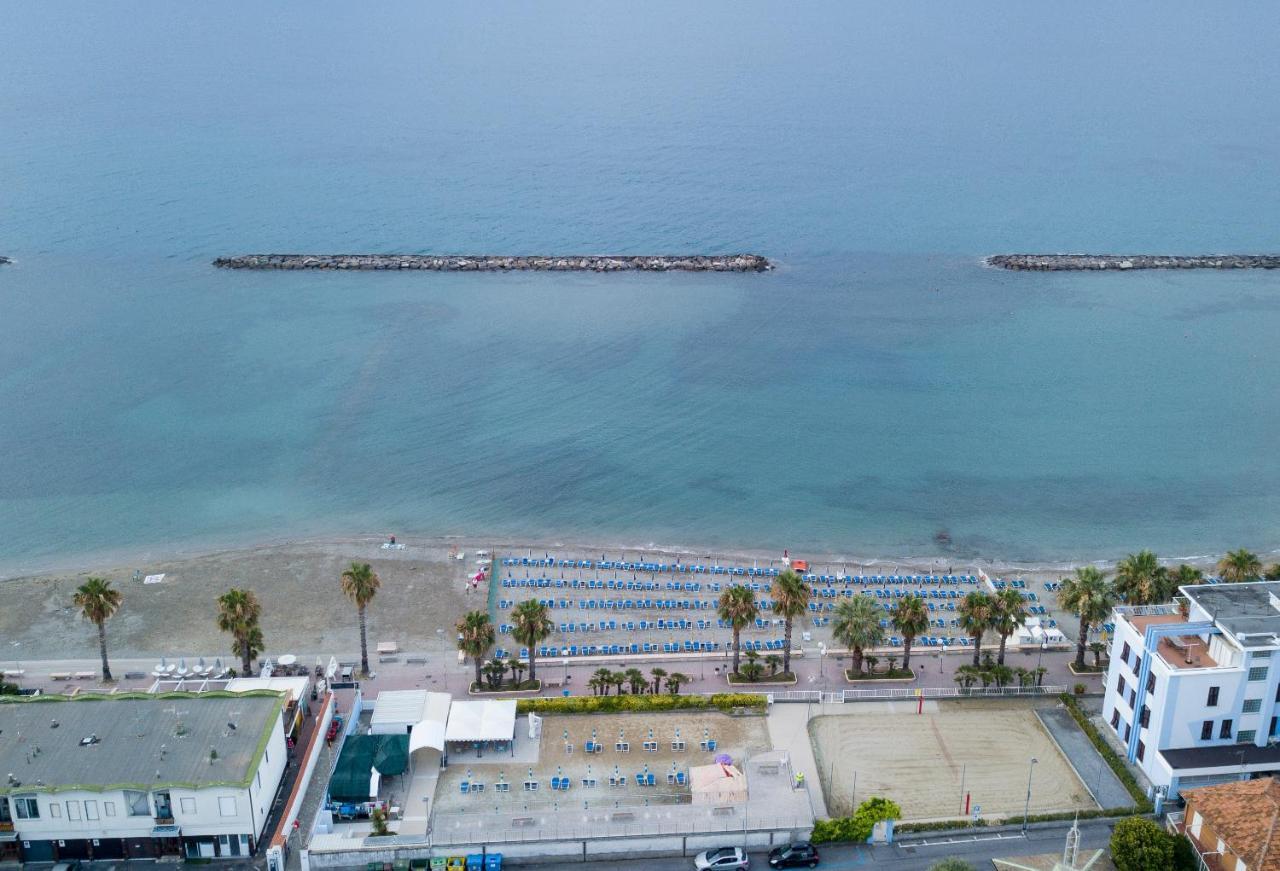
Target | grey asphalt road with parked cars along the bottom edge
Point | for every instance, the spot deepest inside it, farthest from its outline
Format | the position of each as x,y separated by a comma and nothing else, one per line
908,856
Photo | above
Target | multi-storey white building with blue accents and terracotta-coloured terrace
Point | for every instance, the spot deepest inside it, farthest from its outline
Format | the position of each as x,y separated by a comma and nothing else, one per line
1195,699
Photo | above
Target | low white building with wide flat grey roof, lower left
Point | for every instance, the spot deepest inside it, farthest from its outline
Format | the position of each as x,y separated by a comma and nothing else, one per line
139,777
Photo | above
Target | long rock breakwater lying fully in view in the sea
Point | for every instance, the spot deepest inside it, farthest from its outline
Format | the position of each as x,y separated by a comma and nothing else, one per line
492,263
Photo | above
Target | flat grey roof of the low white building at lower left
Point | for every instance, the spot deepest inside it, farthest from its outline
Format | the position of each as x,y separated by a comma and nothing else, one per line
136,741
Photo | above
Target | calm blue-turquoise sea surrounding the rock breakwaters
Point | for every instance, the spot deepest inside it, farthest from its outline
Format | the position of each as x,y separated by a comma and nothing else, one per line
879,387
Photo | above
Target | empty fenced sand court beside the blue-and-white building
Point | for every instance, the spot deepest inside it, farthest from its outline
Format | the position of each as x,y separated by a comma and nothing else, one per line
920,760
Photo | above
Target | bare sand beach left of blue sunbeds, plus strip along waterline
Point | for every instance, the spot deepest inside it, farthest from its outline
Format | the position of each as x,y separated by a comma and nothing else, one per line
424,592
